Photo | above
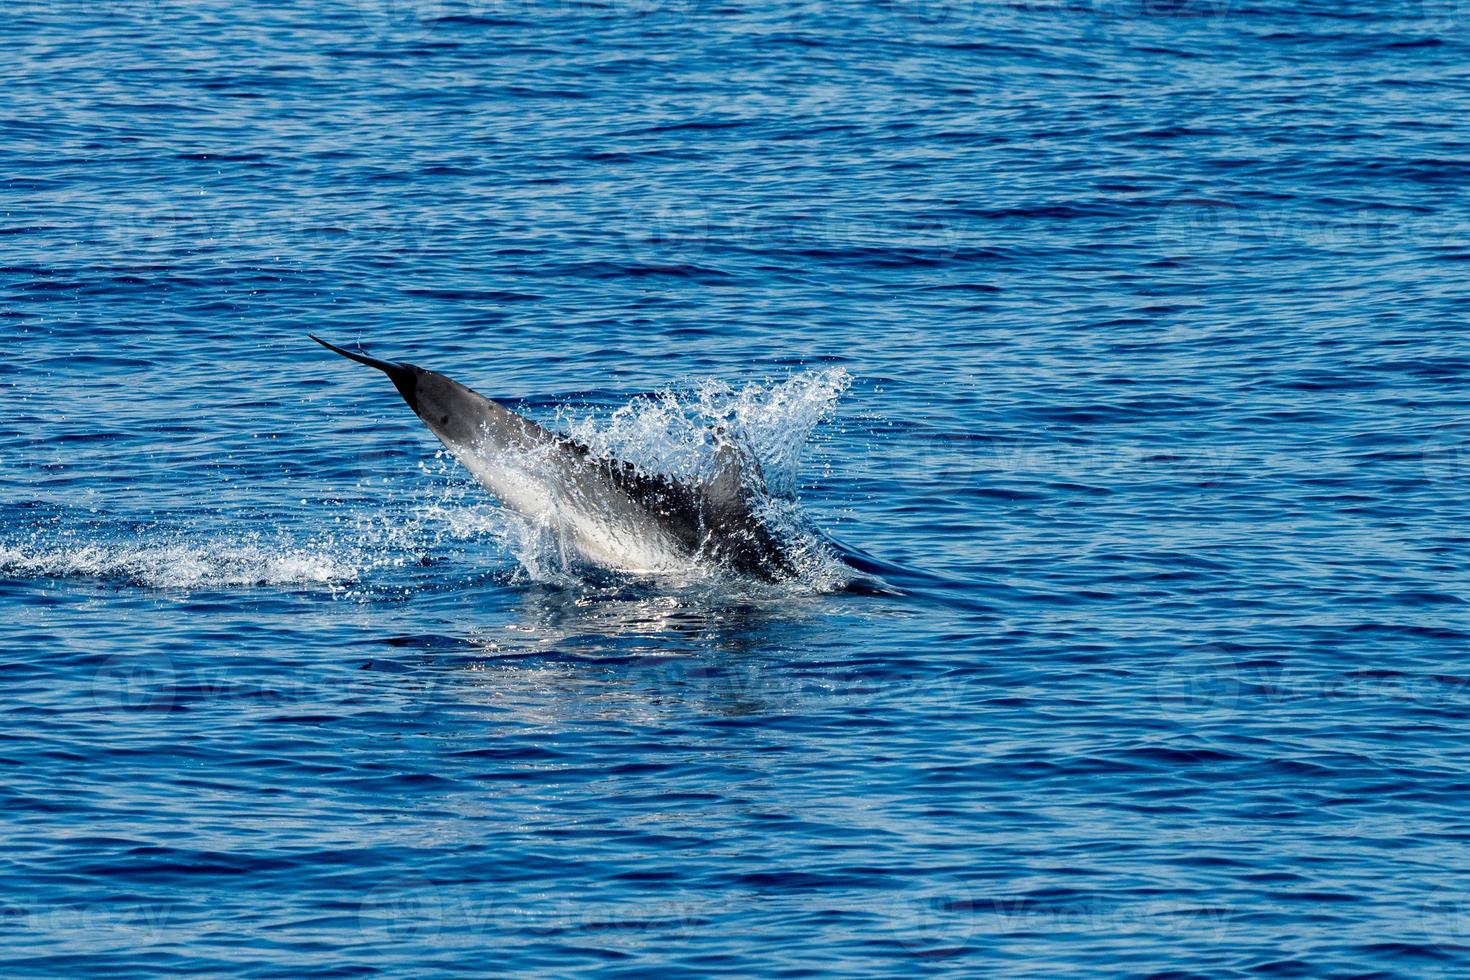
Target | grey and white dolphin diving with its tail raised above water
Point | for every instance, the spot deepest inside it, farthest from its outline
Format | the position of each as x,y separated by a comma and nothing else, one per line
608,512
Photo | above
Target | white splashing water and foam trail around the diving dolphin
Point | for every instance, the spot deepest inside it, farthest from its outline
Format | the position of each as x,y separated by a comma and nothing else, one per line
445,518
